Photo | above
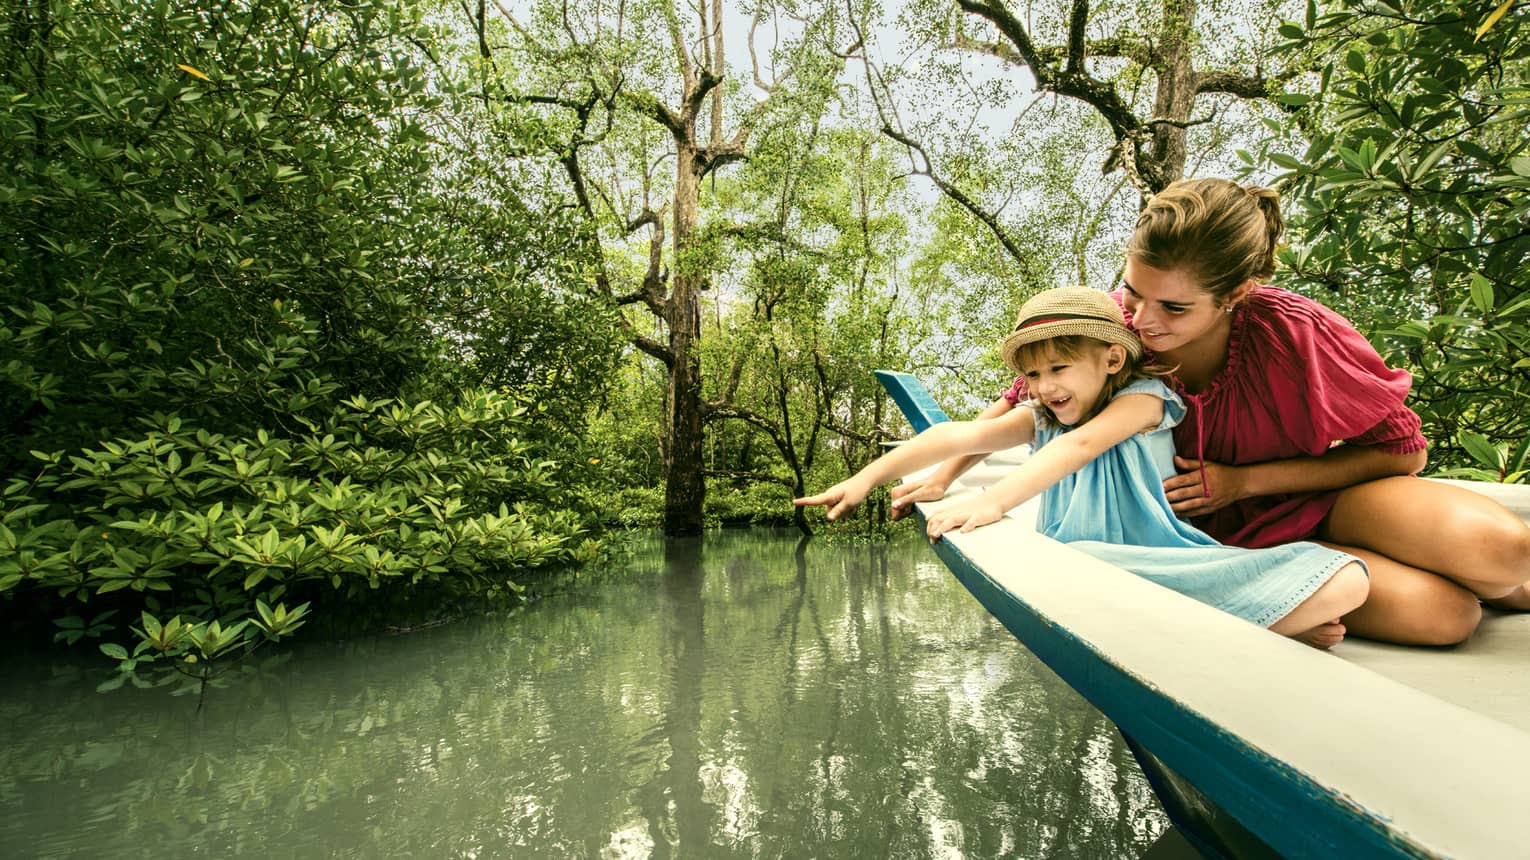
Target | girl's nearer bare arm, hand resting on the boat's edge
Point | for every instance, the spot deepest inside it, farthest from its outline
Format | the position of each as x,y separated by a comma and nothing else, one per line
1066,455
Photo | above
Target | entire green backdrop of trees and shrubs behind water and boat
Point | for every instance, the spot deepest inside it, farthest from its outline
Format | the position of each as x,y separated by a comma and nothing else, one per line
317,310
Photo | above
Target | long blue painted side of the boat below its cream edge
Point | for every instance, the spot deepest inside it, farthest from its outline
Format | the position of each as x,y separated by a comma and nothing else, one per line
1278,804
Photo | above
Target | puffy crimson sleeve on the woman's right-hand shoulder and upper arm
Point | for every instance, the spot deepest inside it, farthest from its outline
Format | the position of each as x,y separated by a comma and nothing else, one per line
1349,391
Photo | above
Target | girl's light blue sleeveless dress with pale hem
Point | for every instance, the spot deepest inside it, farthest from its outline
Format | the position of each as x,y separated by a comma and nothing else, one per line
1115,509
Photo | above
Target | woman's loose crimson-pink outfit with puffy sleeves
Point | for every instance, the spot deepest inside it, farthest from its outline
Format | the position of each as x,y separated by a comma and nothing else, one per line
1298,380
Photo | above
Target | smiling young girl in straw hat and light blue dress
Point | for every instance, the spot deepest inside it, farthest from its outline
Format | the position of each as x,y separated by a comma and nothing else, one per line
1101,435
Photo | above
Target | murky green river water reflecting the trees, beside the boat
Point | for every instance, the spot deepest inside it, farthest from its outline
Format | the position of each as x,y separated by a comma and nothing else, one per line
723,699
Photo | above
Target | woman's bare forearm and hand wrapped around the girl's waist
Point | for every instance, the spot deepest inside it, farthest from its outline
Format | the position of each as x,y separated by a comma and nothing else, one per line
1340,467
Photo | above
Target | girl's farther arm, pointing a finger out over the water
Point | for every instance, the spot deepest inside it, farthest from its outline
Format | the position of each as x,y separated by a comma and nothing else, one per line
940,443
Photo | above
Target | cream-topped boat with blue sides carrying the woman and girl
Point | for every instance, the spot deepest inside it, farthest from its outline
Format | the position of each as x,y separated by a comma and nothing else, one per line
1260,746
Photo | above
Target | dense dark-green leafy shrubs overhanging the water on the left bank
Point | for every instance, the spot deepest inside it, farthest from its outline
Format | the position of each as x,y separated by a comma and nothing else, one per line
255,357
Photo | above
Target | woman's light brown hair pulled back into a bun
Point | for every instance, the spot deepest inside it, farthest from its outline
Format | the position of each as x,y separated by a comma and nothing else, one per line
1220,233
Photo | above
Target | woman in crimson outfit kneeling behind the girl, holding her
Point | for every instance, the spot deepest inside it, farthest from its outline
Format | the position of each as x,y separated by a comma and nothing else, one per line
1298,428
